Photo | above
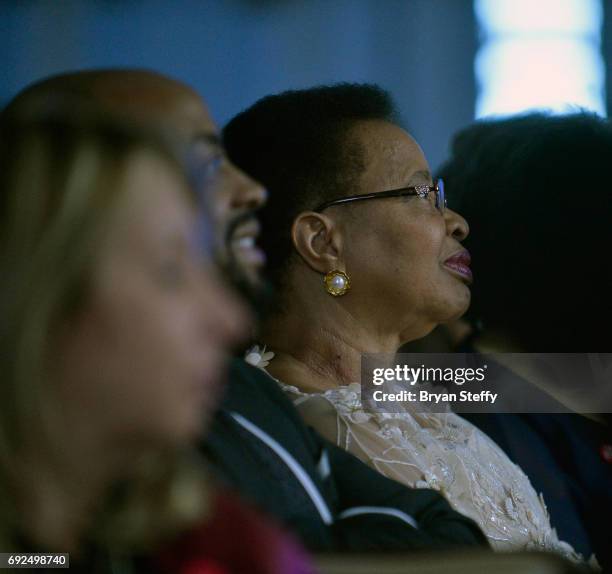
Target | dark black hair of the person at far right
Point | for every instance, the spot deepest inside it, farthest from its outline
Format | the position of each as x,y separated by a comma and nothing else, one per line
535,190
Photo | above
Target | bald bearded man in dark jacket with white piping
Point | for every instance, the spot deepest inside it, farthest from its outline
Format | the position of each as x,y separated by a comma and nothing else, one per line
257,444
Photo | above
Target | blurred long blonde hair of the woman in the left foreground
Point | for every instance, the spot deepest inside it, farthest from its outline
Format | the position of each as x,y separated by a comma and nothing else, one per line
59,182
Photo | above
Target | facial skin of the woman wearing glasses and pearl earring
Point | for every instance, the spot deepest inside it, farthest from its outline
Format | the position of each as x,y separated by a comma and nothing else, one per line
398,249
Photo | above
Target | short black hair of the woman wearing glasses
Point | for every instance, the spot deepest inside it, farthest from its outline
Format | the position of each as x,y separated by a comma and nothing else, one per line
295,144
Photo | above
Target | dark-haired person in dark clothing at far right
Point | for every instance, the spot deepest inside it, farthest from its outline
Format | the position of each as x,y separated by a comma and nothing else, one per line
538,185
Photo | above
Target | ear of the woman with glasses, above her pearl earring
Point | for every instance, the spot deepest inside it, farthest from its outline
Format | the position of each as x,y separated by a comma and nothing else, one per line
318,240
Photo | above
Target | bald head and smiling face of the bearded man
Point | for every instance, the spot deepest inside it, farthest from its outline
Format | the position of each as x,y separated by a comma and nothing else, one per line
154,101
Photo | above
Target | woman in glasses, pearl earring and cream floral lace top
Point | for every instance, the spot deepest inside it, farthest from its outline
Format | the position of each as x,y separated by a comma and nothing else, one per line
365,257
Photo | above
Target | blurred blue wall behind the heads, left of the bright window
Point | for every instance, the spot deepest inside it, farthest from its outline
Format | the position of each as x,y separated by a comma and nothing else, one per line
236,51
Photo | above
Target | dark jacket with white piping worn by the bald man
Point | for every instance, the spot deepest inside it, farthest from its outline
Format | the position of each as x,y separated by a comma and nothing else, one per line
259,446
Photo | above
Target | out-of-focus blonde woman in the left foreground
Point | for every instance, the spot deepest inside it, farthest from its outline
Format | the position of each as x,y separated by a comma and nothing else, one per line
113,332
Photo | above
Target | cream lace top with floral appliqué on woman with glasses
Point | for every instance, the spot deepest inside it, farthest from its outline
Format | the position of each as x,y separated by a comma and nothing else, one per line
441,451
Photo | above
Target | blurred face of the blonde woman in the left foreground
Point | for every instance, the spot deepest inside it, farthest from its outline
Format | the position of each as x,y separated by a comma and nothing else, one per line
143,360
